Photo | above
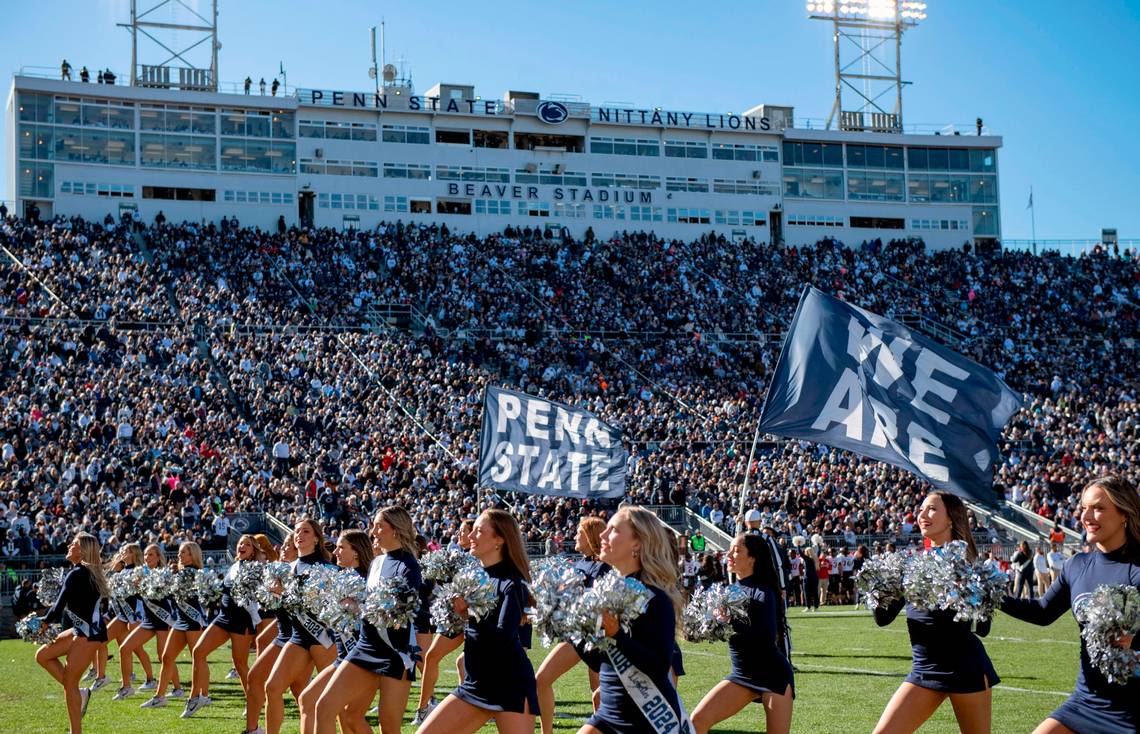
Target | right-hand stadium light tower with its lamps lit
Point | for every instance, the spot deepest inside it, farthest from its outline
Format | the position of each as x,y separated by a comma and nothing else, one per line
868,37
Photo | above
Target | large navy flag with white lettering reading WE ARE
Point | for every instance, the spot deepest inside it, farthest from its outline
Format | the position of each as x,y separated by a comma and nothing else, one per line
857,381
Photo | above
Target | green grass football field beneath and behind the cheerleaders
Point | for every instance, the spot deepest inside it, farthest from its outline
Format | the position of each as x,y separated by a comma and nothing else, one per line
849,670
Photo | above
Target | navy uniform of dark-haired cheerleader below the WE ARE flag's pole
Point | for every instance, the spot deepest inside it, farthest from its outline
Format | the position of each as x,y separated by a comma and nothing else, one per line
758,663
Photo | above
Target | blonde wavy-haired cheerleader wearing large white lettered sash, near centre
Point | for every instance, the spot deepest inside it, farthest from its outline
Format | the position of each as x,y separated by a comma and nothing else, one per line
638,545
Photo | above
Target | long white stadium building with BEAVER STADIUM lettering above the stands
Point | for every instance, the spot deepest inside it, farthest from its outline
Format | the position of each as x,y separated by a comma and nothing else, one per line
344,159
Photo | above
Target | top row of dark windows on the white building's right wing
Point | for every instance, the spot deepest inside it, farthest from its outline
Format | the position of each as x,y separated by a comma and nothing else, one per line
891,158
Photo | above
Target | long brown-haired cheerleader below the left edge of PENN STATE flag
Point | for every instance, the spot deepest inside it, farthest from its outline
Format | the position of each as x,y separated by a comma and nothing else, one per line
501,681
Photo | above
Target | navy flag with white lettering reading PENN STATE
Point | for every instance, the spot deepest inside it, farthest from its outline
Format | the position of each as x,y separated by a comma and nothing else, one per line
536,446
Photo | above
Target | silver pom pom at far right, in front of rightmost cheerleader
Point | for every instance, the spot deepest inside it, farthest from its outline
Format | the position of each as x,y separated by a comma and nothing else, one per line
1106,615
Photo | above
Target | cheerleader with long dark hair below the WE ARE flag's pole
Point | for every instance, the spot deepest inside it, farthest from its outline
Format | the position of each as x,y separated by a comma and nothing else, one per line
761,673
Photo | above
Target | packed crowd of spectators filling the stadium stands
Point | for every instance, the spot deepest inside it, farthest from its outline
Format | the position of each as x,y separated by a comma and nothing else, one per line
107,427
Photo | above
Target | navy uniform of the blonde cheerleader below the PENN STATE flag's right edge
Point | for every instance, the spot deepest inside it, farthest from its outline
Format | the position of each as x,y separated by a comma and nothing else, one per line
649,647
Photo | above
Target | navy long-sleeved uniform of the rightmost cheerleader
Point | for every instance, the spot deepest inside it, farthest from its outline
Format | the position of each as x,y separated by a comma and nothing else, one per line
1097,706
